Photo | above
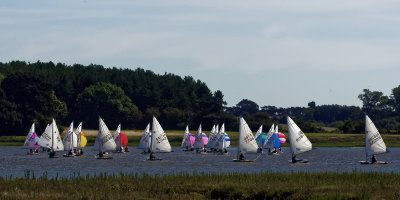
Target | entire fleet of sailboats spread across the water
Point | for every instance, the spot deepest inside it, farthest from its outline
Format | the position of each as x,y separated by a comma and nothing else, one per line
156,141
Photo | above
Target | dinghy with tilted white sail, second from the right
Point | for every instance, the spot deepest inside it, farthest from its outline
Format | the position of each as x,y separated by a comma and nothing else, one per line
299,142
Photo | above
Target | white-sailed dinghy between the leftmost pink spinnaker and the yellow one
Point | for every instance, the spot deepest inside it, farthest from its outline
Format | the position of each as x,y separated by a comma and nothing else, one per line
51,139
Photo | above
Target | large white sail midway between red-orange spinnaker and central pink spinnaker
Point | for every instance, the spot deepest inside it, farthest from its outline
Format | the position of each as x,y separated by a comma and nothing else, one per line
159,140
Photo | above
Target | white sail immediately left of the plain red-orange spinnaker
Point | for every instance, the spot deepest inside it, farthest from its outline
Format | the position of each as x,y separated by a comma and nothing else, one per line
104,138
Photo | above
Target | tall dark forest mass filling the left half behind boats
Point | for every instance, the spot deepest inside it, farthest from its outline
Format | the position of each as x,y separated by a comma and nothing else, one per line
37,92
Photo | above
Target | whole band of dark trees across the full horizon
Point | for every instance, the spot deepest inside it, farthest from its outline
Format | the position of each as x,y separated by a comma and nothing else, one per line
38,92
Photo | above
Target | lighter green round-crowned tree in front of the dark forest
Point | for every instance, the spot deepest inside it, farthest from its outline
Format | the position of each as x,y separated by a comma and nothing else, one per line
108,101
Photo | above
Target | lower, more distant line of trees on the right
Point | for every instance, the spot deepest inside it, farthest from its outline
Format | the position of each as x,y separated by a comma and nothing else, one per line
384,110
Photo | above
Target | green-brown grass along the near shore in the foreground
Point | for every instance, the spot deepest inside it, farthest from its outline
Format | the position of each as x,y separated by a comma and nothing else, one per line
299,185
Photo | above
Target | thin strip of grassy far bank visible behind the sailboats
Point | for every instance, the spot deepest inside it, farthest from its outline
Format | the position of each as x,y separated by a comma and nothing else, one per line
175,138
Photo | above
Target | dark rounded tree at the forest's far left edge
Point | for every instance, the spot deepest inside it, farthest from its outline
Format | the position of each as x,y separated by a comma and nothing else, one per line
27,99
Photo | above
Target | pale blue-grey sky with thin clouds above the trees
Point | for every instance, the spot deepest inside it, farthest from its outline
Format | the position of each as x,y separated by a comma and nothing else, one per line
281,53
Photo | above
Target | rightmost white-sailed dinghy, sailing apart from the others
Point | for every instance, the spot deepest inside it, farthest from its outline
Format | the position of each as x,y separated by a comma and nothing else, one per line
373,143
